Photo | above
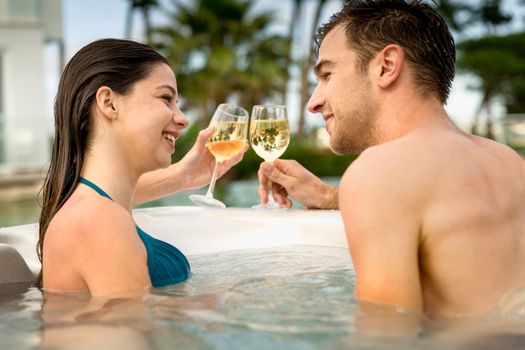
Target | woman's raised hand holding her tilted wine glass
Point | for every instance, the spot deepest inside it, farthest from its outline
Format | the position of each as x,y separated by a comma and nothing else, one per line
197,165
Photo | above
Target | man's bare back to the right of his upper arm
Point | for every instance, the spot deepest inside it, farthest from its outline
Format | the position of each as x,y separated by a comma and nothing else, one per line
474,229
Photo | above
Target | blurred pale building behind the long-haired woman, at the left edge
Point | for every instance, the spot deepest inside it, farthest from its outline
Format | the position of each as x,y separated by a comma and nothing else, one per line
26,26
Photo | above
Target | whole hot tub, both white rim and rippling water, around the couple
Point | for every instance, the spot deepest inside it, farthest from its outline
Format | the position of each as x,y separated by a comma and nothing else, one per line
261,280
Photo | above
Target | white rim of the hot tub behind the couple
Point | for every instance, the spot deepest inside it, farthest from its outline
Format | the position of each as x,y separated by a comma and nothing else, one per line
196,230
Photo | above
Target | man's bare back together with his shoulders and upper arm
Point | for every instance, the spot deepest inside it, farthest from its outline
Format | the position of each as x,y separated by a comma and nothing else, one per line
448,202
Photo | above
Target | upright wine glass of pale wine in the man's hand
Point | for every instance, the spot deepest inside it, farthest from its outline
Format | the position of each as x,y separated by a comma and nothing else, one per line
269,138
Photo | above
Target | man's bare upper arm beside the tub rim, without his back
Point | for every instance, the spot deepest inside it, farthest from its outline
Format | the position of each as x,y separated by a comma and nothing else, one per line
381,220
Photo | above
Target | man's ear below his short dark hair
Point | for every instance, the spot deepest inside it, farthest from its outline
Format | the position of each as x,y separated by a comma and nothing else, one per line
389,64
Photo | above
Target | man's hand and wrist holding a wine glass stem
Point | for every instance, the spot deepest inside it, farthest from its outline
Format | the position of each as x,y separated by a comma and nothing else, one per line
288,178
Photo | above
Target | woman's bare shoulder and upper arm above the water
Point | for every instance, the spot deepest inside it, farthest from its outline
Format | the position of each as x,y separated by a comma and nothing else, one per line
90,235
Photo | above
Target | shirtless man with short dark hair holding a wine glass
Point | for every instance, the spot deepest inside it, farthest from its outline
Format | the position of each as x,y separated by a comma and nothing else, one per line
434,217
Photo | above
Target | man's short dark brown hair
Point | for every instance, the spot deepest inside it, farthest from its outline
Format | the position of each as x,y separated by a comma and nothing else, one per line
370,25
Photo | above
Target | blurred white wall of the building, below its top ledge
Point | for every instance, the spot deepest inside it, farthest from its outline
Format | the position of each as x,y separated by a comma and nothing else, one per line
26,122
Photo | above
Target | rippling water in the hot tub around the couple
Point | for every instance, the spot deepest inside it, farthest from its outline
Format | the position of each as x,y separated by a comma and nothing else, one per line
295,297
